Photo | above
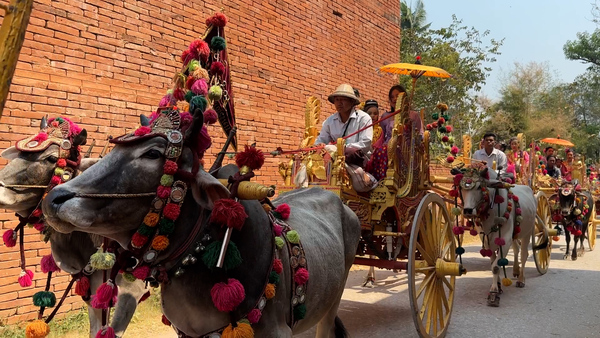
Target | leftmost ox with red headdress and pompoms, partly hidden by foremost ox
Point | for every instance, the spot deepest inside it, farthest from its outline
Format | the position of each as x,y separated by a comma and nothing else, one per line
23,181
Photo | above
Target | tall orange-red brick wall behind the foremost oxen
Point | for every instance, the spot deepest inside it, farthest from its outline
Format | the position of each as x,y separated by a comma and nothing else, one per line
104,62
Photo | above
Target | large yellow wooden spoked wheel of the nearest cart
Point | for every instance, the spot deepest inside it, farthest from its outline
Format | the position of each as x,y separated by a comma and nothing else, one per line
432,267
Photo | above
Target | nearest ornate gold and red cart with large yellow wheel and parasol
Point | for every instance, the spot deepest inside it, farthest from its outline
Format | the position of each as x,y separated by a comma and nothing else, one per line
405,220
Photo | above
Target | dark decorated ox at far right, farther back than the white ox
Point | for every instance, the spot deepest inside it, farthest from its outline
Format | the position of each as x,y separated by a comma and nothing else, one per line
574,215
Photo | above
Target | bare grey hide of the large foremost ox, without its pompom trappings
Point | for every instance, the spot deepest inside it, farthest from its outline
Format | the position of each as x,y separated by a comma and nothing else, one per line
329,231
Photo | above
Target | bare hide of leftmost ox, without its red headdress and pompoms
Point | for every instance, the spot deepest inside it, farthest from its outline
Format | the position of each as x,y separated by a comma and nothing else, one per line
71,251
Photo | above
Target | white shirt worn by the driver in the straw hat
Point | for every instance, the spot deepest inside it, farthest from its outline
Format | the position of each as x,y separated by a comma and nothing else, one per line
333,128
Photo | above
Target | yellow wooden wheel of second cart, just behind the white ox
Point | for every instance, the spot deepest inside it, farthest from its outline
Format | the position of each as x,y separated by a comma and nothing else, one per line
540,234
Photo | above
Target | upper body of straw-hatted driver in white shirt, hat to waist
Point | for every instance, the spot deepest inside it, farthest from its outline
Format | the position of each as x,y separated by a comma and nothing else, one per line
346,121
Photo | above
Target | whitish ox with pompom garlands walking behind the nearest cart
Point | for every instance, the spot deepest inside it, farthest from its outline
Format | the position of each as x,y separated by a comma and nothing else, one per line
506,215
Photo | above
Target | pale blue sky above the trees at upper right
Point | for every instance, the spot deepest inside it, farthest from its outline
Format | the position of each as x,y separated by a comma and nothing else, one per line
533,30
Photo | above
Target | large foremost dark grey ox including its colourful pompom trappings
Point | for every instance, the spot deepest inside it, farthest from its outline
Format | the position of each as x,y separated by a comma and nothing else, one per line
179,243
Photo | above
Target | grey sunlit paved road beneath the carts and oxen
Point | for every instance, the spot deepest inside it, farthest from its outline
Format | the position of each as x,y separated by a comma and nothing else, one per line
563,303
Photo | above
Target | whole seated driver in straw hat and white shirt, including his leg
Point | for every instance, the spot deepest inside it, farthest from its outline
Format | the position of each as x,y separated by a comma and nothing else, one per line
345,122
